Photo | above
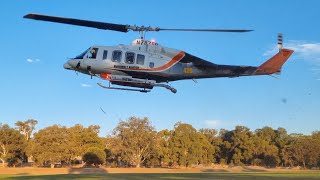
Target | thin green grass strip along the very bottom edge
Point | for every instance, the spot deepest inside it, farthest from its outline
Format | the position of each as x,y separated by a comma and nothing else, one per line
181,176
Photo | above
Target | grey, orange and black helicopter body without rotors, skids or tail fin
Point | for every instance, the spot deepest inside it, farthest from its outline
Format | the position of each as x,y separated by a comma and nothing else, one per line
148,60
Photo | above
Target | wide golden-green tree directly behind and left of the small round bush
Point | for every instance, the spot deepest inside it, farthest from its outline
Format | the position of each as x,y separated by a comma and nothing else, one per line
58,143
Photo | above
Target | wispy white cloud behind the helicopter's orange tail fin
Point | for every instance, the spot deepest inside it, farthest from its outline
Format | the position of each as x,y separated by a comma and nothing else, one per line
303,51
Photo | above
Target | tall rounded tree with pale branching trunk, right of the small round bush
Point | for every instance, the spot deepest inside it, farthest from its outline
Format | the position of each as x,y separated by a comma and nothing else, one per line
134,141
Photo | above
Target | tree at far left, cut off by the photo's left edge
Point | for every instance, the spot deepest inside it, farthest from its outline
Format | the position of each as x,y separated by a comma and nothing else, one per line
12,145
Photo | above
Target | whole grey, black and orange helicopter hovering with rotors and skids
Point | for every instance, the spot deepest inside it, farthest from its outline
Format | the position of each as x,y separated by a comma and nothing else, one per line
145,64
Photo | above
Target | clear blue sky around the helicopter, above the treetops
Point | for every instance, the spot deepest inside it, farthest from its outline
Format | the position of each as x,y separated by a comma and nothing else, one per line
35,85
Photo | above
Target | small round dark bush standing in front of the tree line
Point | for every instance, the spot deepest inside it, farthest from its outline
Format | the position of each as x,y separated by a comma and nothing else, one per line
94,156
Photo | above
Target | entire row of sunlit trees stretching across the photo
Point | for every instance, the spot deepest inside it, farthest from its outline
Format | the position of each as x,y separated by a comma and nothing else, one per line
135,143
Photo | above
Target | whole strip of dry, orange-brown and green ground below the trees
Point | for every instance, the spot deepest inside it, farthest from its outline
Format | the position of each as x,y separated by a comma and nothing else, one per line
158,173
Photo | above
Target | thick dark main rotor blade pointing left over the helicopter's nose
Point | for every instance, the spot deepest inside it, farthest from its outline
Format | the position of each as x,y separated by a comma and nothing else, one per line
79,22
